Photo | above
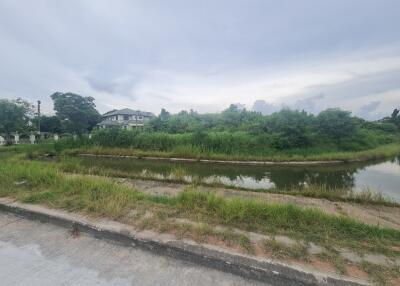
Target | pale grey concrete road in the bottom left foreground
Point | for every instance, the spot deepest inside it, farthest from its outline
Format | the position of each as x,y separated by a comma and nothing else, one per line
34,253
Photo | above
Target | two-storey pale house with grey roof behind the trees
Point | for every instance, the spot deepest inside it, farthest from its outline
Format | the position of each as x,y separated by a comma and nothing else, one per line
125,118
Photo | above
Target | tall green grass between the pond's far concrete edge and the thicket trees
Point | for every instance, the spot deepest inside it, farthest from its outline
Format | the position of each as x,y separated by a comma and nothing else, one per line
237,145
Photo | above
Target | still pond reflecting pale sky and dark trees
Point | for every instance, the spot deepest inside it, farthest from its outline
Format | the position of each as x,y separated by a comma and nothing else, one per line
382,176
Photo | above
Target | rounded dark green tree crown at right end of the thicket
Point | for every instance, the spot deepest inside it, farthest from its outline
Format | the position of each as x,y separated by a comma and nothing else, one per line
336,123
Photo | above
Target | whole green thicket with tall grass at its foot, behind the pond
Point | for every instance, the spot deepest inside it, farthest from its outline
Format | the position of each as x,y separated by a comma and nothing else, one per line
237,131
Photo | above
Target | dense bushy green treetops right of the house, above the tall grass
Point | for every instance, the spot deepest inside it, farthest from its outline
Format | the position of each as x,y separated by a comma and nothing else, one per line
286,129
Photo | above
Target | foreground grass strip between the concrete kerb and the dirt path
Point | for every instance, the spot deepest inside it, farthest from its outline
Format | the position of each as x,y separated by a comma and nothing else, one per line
40,182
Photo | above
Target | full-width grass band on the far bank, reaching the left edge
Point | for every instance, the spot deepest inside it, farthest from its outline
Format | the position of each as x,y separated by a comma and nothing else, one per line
213,145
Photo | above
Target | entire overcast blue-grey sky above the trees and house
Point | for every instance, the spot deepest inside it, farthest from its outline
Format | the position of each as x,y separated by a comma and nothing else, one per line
204,54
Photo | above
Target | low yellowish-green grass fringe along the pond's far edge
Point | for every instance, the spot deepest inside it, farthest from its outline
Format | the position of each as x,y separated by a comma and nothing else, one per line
70,146
